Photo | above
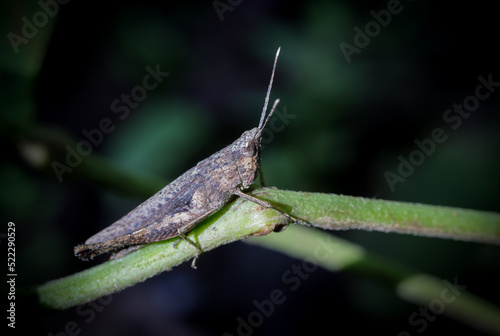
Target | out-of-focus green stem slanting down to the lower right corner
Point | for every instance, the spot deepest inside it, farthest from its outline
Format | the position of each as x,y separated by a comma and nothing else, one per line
335,254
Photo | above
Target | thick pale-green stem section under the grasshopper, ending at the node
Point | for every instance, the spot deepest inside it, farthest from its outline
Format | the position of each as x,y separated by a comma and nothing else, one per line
234,222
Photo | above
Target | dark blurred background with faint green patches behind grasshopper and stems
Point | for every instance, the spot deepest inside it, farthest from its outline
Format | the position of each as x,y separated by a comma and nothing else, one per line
352,121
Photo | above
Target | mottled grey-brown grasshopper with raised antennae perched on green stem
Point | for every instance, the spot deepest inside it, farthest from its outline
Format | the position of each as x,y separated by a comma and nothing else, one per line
177,208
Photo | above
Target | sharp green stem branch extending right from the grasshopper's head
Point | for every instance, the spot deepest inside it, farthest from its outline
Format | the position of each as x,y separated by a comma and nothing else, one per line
339,212
